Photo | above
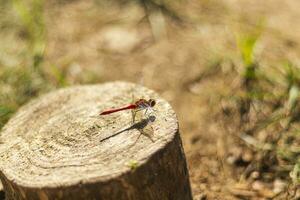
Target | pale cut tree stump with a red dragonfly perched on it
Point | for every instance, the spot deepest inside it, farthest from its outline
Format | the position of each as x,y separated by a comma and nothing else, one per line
59,147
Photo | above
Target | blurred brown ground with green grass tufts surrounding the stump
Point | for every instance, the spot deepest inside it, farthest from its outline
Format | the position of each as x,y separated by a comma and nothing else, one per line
230,69
